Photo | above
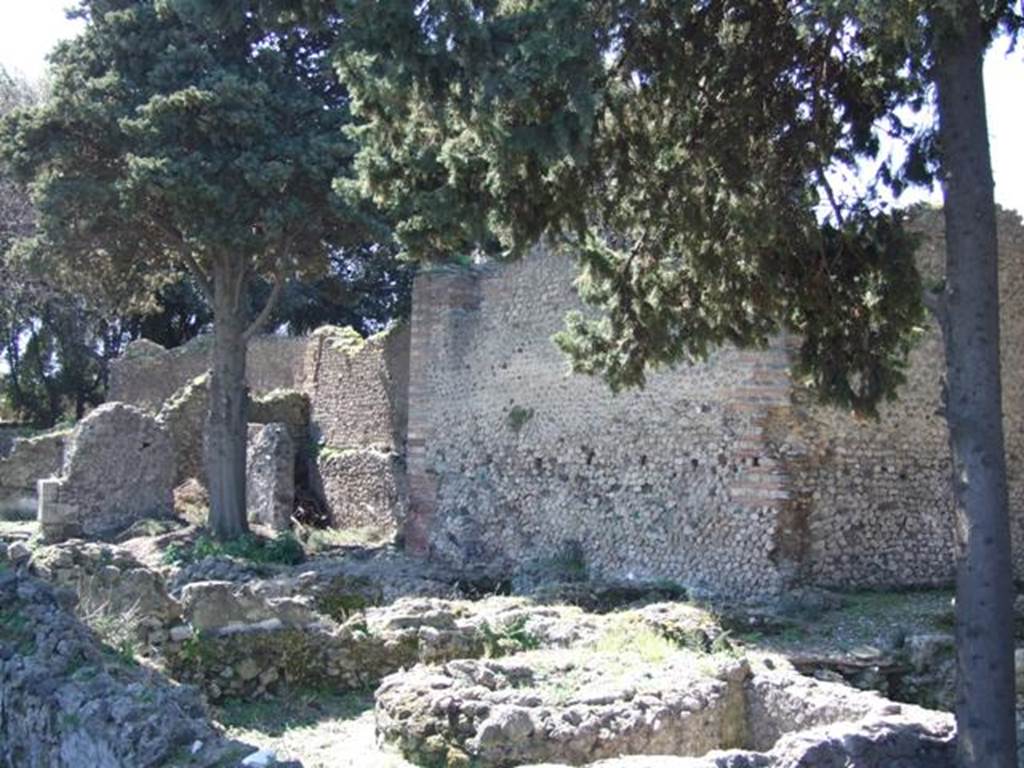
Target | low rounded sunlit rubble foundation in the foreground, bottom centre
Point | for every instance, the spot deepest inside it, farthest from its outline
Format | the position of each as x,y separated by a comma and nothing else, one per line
564,708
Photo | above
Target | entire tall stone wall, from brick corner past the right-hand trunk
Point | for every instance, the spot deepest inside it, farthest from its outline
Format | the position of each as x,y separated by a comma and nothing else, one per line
723,477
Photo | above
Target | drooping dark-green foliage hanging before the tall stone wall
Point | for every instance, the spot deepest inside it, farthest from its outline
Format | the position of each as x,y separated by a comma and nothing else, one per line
680,151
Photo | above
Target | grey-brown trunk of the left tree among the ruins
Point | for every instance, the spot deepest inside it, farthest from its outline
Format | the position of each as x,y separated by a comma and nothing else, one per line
228,422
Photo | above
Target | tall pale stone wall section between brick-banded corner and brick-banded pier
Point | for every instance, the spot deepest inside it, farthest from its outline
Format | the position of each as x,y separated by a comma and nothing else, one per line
511,459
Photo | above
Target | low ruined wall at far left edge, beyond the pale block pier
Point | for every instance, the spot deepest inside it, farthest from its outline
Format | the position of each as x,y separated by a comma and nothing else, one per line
29,460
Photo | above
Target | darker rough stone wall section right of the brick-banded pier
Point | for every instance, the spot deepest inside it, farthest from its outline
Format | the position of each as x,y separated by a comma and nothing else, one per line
879,493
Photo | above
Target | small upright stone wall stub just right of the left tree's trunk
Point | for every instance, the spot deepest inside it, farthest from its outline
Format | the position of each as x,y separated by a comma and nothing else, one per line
271,476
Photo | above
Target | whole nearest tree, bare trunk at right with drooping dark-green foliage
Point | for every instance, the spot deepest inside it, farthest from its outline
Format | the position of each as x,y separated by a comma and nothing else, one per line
682,152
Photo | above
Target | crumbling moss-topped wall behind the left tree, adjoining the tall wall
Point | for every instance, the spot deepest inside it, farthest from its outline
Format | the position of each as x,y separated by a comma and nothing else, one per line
359,406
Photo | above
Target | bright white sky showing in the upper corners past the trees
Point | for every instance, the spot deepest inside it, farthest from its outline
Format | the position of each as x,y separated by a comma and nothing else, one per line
30,28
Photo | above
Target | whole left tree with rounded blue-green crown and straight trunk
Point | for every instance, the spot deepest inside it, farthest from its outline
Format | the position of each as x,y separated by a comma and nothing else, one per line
168,145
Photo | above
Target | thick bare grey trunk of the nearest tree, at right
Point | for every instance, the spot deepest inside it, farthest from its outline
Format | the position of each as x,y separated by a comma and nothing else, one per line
970,317
